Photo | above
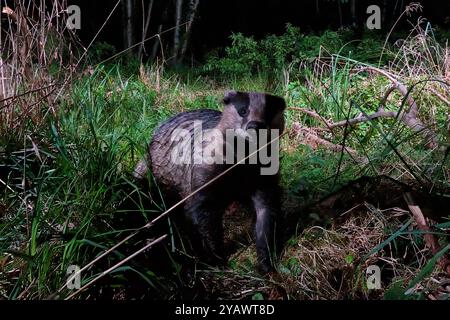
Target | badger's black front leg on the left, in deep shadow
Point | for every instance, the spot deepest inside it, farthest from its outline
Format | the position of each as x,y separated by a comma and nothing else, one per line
208,224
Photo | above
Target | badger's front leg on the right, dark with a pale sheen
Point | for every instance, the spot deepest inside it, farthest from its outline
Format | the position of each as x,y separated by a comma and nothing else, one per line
266,205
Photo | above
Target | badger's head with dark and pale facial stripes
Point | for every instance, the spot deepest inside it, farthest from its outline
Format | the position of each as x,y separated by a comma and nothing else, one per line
252,110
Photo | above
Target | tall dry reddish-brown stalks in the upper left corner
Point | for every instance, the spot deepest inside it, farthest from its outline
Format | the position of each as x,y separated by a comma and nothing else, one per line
37,59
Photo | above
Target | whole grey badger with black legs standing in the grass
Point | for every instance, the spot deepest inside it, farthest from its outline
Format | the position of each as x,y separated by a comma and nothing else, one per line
176,157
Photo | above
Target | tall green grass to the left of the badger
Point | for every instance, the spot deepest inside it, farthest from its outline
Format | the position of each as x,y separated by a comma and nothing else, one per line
70,185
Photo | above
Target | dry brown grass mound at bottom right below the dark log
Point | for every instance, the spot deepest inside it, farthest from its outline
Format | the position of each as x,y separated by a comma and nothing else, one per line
331,263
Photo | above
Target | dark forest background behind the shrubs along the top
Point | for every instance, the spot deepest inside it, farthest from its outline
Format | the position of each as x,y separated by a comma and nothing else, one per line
215,21
